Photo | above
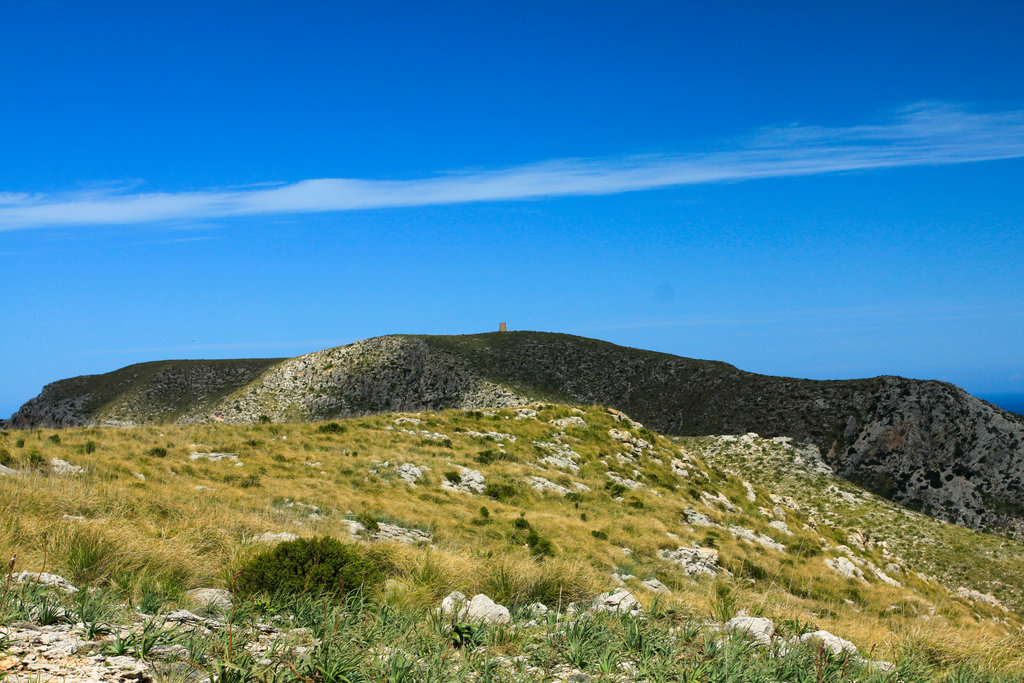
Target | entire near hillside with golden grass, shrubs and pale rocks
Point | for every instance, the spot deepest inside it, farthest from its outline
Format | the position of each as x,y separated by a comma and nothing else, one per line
654,560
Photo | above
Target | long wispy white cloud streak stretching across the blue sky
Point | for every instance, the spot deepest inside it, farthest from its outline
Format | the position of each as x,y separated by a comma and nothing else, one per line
924,135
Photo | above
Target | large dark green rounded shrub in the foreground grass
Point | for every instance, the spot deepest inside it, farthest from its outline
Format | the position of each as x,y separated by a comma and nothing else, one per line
319,566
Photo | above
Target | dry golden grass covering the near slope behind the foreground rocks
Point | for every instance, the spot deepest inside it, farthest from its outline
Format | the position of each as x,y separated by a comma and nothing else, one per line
188,524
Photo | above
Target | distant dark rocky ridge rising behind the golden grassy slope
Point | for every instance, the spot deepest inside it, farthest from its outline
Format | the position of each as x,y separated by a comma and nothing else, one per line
927,445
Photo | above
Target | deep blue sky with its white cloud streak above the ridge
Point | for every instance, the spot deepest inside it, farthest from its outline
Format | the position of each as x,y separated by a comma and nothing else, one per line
796,189
